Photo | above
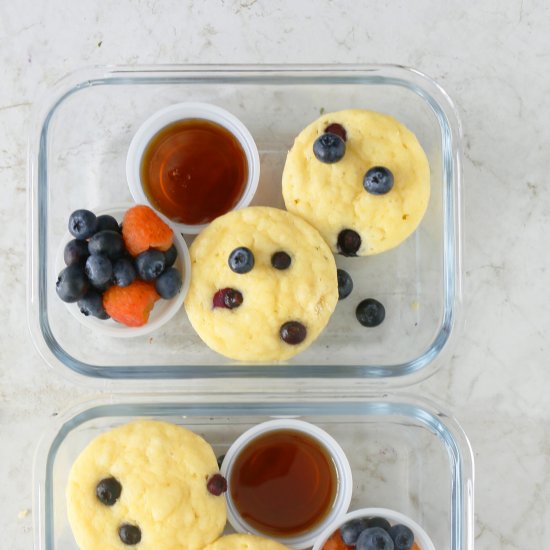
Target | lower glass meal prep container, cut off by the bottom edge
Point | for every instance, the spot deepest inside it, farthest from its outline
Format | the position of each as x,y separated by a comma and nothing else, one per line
405,453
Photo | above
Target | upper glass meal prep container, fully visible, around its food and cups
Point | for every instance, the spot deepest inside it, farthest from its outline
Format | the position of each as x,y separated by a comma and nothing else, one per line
80,139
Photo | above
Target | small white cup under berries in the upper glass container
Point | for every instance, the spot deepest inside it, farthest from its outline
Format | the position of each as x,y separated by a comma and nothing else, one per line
163,310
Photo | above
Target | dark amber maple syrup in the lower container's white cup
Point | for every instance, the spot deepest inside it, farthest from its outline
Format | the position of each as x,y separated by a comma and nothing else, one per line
283,483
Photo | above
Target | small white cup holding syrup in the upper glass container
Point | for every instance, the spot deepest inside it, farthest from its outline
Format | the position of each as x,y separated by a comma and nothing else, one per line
182,111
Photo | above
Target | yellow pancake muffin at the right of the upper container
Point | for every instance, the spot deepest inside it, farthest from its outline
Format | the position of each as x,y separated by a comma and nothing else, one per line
361,178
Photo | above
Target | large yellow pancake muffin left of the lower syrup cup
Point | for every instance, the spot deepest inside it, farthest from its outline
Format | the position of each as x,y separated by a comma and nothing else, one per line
147,484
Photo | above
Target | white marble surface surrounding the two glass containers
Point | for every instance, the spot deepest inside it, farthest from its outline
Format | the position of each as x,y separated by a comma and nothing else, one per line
491,56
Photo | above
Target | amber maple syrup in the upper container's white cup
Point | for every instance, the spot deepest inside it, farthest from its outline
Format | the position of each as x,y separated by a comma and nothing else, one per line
193,171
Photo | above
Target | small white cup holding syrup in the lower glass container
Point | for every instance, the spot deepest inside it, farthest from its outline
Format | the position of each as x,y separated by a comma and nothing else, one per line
343,472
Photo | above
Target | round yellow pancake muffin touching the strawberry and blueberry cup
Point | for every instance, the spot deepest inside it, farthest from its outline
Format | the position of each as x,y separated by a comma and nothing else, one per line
263,284
